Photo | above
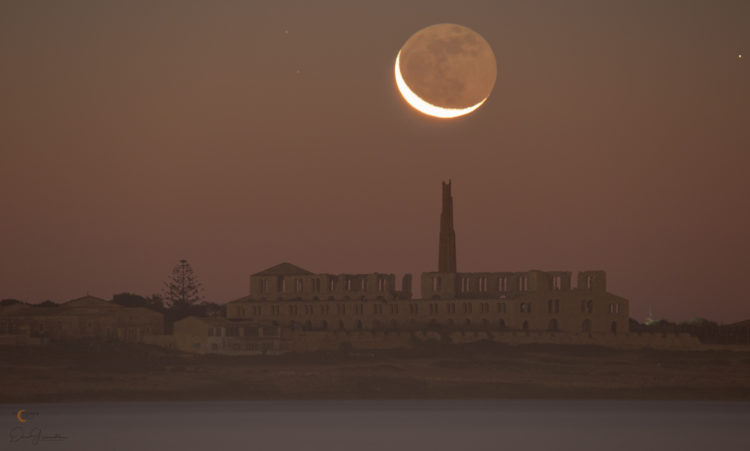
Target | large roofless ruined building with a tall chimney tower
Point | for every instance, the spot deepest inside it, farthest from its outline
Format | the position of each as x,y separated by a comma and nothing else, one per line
289,296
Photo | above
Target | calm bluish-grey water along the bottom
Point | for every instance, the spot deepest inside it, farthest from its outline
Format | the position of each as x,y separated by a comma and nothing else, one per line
382,425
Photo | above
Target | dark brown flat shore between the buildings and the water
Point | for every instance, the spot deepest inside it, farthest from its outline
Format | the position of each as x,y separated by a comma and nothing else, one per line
119,372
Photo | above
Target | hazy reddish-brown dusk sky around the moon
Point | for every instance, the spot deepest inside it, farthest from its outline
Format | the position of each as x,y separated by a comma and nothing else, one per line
238,135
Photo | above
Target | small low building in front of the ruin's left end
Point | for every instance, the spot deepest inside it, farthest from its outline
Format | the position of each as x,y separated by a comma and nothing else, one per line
215,335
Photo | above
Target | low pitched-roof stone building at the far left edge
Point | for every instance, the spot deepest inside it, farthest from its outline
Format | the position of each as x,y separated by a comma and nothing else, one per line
86,317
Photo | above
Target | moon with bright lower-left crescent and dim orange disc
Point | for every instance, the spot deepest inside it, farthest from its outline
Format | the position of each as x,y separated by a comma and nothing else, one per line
445,71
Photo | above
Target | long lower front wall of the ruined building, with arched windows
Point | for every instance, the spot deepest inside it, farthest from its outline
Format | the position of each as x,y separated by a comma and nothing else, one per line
570,311
